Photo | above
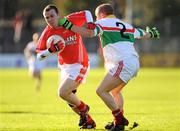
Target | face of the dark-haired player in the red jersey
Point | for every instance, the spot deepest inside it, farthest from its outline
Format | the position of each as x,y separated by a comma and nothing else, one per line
51,18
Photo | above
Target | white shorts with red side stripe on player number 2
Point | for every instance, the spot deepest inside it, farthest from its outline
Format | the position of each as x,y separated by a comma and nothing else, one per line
126,69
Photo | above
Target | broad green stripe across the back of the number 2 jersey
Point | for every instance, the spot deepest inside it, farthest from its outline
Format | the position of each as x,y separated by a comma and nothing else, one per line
112,37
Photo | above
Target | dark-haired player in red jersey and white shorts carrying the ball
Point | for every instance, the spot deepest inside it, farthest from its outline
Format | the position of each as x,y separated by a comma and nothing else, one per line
73,58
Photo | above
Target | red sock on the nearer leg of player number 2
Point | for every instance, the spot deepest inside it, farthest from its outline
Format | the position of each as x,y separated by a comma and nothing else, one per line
118,115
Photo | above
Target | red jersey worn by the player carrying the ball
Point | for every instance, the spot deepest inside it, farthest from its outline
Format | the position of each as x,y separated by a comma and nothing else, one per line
74,51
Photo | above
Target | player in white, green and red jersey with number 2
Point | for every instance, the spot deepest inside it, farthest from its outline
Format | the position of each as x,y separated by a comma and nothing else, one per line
121,59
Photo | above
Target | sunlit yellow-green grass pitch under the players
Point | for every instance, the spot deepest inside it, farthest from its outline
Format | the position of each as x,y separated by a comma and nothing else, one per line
152,99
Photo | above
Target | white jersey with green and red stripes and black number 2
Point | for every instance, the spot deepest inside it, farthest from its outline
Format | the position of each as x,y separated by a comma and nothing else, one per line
117,39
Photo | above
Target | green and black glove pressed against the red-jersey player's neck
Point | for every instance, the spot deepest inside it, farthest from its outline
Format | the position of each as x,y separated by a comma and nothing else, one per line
65,23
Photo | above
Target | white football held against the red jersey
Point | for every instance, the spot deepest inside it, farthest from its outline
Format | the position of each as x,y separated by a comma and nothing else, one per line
55,38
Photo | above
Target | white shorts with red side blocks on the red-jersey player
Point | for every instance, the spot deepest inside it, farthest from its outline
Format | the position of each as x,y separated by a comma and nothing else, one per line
76,72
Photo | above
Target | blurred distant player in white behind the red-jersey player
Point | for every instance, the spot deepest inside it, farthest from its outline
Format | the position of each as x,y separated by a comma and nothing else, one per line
35,67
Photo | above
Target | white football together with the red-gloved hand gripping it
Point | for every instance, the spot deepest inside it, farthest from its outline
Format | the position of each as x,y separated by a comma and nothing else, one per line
55,43
